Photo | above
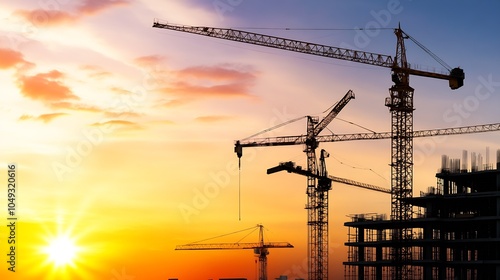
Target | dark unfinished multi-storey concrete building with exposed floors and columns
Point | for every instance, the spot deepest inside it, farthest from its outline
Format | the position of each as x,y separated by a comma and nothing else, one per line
455,229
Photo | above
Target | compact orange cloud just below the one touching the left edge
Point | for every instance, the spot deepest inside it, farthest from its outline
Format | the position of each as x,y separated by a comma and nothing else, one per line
46,87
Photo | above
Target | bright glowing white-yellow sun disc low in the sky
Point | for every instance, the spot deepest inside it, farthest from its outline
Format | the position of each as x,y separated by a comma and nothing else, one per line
61,251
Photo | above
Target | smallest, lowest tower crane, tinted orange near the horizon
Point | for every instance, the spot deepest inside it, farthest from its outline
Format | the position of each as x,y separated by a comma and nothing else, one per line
261,248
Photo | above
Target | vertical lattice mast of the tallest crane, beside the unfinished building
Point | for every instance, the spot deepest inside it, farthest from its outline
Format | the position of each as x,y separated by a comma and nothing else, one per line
400,103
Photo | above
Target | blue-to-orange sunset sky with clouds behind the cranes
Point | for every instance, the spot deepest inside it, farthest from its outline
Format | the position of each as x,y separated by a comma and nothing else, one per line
123,134
